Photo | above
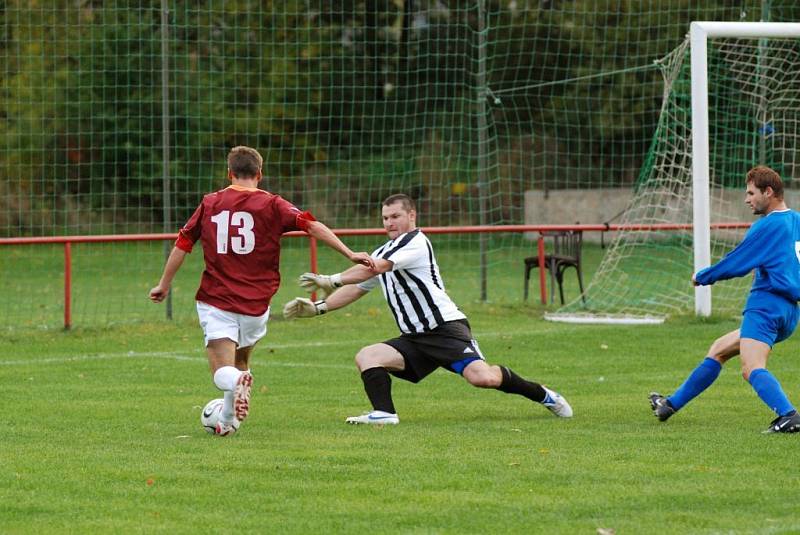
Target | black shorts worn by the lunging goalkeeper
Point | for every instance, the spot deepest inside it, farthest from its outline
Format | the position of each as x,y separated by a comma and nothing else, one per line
449,346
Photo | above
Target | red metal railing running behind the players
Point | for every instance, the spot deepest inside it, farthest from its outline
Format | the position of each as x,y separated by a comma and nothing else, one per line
541,229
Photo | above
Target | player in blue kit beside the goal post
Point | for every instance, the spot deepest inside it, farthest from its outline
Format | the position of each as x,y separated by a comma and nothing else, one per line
771,247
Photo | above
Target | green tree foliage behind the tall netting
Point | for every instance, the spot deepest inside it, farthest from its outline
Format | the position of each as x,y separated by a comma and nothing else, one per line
315,84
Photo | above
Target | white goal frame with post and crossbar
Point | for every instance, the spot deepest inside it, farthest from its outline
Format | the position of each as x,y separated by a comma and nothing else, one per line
700,32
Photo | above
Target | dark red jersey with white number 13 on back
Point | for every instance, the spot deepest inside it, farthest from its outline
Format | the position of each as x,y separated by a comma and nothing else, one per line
240,230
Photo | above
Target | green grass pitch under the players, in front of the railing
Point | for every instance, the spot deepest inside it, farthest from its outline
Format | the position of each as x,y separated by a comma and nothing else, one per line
102,434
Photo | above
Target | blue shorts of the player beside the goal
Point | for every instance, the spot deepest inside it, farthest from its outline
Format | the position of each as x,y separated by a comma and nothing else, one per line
768,318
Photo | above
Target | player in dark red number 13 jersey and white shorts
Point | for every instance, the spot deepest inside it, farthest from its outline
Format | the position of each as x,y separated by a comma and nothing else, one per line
240,229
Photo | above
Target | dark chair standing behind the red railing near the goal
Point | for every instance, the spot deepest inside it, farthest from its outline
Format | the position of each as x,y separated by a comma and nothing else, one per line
564,251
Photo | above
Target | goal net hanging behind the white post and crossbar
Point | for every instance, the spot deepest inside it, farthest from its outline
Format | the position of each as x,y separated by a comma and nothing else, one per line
753,117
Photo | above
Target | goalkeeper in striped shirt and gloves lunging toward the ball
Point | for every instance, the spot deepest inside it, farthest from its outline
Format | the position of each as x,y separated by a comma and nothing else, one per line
435,333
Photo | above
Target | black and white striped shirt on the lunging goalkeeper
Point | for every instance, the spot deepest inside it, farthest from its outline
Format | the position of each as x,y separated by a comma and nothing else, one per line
413,289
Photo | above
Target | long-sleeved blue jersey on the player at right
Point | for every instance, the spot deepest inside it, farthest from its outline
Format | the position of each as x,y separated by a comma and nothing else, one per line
771,247
